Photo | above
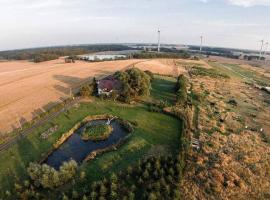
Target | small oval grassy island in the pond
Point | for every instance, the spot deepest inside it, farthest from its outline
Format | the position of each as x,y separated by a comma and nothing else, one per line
97,132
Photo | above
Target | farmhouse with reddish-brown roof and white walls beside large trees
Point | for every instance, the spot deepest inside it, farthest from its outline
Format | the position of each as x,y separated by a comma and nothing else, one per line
108,85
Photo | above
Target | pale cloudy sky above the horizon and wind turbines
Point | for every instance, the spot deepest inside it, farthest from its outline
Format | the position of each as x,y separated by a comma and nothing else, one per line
223,23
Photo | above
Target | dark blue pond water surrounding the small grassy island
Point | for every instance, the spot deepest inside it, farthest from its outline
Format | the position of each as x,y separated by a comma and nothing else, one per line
77,149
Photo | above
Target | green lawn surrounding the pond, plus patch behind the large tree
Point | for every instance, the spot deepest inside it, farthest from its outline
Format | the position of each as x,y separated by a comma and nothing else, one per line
156,133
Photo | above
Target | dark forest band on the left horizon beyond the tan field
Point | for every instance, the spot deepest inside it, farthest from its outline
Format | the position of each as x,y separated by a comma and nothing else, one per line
51,53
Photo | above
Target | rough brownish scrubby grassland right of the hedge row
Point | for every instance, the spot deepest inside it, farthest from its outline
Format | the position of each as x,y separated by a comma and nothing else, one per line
234,131
